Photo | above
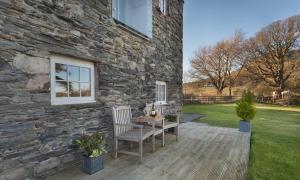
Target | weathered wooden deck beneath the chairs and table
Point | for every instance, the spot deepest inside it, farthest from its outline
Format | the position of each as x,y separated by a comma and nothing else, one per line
202,152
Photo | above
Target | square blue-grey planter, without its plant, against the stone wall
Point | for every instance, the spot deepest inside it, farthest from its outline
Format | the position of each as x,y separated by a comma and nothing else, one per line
92,165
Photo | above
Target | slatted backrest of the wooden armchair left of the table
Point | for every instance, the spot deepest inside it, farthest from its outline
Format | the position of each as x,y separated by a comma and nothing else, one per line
121,115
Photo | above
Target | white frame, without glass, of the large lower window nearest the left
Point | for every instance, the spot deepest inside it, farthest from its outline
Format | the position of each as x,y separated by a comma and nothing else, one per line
57,59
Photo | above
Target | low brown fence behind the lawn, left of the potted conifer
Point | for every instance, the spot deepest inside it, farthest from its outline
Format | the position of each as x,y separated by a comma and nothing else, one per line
209,99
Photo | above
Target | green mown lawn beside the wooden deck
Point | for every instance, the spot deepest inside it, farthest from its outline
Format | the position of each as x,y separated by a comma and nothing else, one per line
275,141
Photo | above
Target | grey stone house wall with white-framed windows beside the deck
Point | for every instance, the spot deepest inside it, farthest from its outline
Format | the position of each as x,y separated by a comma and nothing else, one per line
65,63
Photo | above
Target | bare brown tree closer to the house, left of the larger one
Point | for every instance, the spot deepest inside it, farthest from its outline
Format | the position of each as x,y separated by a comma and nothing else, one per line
221,63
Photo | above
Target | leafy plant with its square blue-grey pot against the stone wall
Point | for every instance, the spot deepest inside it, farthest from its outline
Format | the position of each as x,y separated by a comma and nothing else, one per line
94,149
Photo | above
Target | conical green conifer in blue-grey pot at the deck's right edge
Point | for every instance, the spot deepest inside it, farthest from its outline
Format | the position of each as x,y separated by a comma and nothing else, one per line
246,111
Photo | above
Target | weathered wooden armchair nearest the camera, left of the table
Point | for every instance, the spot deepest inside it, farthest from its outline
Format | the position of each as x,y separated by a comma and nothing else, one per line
125,130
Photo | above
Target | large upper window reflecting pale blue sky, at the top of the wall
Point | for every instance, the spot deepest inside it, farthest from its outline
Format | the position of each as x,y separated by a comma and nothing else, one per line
136,14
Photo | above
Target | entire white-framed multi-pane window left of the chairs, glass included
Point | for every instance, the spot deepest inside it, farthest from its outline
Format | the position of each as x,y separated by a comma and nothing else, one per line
72,81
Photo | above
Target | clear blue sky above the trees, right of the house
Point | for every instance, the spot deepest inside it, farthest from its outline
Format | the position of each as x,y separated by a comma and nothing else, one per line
208,21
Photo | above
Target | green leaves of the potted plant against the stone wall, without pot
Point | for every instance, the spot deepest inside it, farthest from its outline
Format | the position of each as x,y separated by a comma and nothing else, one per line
93,145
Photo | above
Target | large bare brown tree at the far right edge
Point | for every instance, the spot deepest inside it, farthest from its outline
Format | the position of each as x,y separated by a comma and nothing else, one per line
270,52
